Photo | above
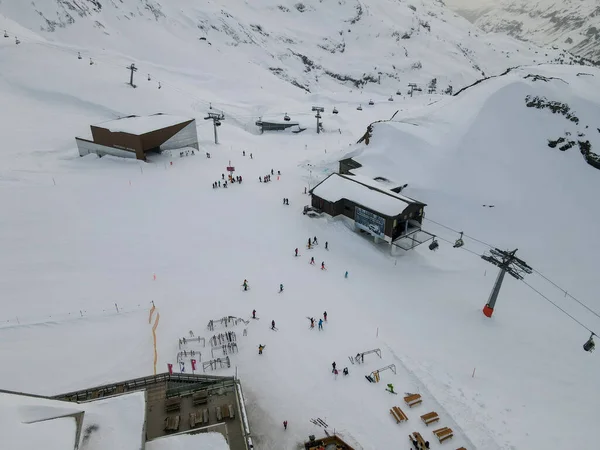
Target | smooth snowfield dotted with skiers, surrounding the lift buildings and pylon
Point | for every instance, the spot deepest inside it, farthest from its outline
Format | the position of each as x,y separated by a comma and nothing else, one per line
80,235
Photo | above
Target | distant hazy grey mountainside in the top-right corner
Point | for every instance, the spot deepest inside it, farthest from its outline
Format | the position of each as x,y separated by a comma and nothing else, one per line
570,24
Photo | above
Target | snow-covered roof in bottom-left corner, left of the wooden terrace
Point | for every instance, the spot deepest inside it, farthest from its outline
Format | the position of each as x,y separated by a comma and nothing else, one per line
32,422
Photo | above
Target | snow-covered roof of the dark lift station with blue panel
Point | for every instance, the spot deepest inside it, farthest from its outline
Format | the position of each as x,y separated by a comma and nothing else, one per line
336,187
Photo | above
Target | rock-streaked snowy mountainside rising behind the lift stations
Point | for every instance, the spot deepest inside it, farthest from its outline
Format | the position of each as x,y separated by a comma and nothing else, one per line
345,44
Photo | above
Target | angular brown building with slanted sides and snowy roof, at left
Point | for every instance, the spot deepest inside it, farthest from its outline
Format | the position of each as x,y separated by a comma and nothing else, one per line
135,136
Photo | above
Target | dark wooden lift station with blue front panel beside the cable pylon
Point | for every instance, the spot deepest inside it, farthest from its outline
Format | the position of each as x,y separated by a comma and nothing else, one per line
380,212
